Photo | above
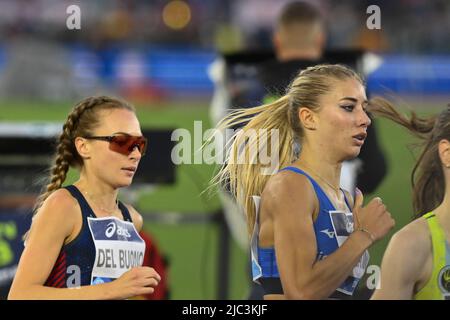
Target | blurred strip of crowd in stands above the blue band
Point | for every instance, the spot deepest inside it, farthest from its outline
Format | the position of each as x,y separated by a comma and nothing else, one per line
407,26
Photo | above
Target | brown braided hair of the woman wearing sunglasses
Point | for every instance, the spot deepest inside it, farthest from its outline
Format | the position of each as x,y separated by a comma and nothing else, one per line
81,121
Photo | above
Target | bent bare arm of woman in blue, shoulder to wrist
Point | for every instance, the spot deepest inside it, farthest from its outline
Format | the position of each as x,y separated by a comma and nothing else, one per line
301,275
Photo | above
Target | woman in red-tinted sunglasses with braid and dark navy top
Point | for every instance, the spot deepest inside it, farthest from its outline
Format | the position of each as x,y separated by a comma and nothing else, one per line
83,243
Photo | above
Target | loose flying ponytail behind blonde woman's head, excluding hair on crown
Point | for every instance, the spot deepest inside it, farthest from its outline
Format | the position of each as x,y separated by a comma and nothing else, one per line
267,132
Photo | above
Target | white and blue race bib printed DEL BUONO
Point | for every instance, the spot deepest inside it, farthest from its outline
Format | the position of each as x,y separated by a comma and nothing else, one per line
118,248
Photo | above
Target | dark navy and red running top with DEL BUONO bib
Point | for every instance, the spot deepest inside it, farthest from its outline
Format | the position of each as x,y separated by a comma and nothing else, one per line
104,249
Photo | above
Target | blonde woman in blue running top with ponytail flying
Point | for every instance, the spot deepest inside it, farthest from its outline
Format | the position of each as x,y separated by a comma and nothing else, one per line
306,243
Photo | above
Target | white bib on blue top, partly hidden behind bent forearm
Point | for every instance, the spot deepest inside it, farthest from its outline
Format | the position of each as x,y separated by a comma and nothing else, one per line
343,226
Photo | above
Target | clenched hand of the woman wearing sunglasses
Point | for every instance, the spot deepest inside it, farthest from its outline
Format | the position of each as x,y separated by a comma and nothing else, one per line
137,281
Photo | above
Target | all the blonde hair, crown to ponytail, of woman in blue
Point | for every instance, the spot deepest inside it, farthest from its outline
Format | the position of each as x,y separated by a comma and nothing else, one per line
276,126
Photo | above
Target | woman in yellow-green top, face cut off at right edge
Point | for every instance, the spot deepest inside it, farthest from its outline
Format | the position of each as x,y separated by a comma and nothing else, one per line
416,264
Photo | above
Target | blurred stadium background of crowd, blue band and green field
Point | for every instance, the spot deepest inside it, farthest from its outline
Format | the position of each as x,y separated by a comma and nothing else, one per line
156,54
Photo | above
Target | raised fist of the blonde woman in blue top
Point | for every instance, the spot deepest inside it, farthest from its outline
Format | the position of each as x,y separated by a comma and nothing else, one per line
374,219
